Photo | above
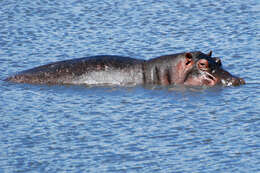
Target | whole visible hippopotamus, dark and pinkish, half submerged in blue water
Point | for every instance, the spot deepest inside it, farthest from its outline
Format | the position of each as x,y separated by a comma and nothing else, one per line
188,68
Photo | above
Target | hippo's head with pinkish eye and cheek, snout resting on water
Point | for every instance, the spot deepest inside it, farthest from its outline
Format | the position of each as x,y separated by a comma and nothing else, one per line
208,71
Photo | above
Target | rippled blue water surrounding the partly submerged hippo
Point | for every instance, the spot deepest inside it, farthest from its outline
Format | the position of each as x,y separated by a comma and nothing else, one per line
135,129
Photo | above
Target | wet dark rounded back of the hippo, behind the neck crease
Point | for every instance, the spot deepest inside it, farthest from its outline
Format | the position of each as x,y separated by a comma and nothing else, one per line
96,70
